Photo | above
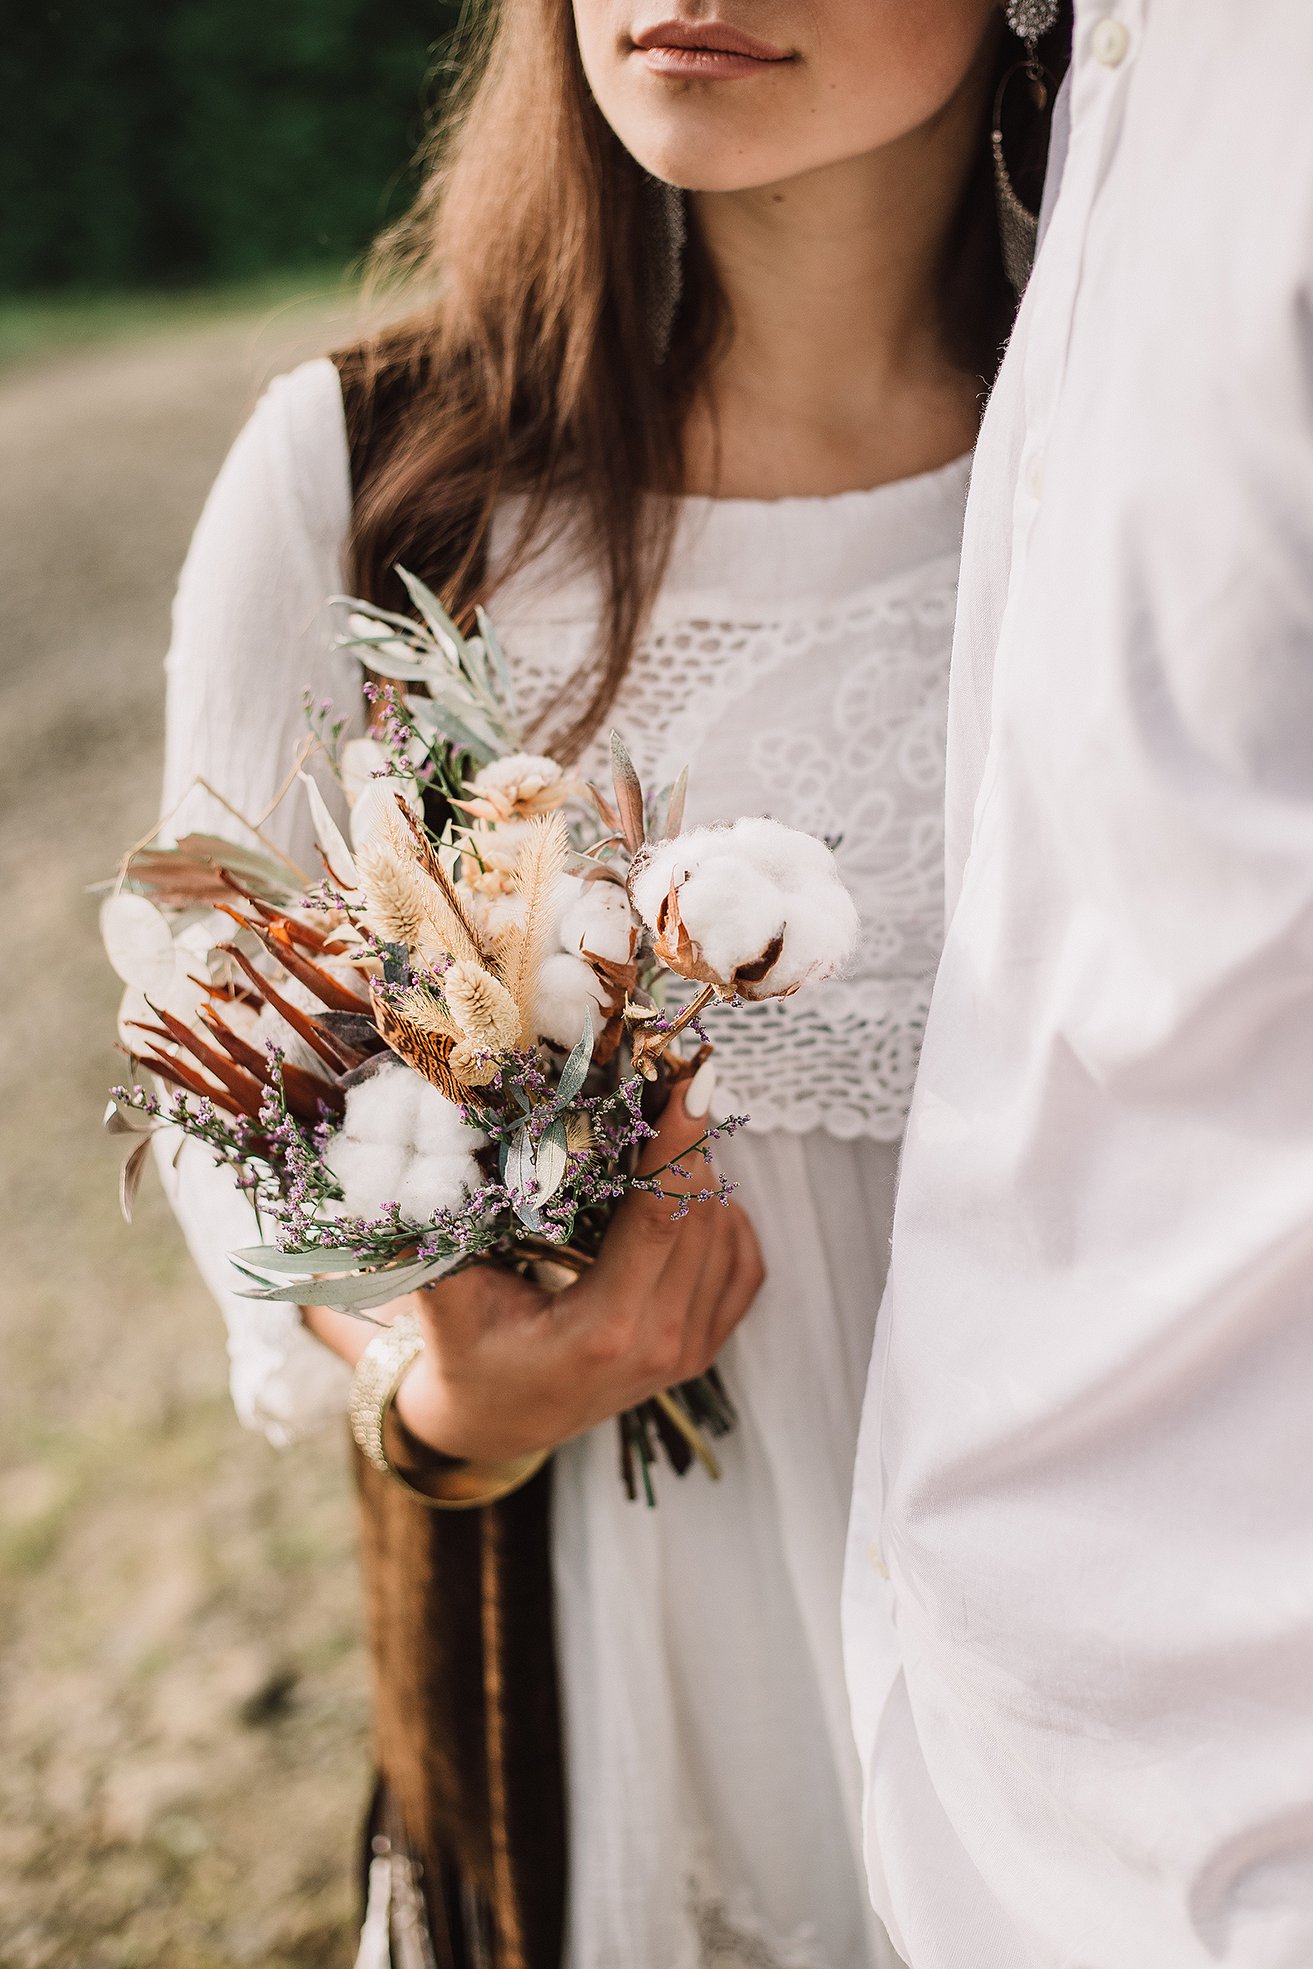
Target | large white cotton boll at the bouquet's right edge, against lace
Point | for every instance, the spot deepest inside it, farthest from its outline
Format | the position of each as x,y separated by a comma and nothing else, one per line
755,909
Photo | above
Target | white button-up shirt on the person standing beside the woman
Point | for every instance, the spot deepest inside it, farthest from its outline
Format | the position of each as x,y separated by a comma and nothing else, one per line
1080,1600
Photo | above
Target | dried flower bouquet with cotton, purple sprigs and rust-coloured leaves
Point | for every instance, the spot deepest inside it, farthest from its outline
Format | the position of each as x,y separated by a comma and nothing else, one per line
452,1047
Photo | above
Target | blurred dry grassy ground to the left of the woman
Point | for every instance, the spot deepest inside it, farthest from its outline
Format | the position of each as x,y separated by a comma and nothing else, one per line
182,1688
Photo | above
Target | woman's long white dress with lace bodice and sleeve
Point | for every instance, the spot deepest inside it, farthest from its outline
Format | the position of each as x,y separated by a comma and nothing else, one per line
798,663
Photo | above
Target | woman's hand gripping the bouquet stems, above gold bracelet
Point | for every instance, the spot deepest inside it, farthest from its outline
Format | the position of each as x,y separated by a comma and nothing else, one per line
511,1367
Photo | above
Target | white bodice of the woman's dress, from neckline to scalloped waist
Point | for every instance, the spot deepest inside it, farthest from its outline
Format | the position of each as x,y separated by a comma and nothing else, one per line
798,665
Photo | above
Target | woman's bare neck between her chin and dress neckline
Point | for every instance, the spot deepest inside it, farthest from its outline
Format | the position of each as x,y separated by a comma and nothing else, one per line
836,375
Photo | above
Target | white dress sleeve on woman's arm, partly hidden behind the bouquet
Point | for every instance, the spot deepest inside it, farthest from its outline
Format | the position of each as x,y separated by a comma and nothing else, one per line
251,635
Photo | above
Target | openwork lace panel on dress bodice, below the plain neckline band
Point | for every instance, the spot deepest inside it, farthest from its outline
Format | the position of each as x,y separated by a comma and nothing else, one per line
838,726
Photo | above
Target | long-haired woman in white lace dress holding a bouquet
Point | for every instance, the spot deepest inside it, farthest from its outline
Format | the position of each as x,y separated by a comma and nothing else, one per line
706,460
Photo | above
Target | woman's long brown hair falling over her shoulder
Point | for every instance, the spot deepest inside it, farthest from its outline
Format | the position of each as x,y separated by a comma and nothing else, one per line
532,369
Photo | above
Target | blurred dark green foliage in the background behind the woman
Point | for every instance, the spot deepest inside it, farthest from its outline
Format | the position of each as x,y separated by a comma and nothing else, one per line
151,143
